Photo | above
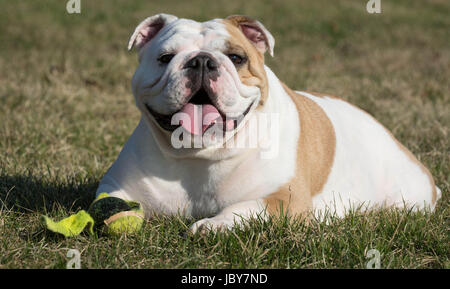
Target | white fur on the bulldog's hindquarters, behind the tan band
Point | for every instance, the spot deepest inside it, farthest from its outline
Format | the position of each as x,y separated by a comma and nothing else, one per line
369,168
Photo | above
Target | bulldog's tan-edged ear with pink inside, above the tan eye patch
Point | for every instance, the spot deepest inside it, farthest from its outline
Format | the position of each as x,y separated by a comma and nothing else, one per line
255,32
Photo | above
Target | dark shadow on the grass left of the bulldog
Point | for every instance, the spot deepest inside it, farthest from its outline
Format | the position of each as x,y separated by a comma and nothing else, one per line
31,194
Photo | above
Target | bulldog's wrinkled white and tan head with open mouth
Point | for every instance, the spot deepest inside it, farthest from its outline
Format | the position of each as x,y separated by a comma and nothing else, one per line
201,79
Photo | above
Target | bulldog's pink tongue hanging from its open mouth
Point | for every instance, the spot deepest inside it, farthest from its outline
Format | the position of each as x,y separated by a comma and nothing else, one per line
201,116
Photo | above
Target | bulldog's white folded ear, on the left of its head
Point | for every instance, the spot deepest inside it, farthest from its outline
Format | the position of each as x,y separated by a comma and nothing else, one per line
148,29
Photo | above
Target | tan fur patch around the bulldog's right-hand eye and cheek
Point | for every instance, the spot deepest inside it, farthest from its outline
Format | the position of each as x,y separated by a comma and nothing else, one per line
251,73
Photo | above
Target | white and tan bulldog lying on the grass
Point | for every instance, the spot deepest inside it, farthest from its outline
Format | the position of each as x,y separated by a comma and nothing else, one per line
223,139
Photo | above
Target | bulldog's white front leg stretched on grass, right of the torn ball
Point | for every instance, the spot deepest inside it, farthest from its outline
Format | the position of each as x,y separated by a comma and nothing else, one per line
235,214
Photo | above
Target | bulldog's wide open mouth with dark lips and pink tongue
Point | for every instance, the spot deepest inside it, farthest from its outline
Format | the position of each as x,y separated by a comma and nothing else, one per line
197,116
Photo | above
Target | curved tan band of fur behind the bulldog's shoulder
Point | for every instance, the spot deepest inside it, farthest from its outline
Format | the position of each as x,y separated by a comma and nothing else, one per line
315,156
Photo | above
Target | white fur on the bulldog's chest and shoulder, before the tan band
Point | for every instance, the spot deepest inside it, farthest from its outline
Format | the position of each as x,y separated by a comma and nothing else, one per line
200,187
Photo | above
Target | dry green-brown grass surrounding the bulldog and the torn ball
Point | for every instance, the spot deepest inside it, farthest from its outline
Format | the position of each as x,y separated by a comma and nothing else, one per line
66,110
